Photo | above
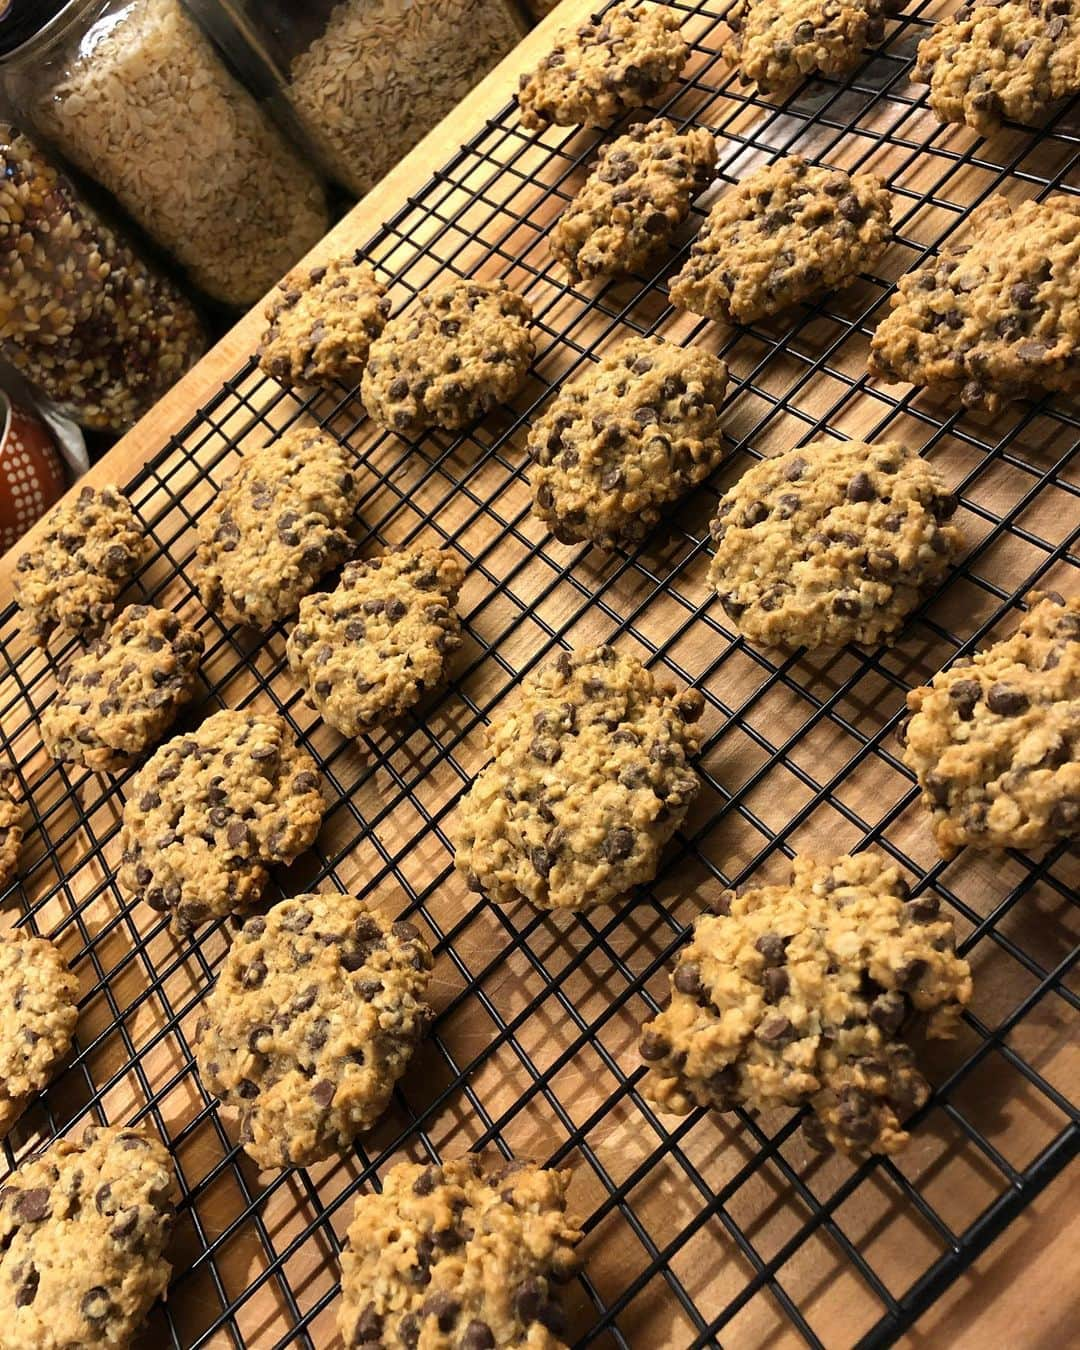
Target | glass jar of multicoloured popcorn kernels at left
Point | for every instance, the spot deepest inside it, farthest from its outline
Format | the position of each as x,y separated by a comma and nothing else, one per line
83,315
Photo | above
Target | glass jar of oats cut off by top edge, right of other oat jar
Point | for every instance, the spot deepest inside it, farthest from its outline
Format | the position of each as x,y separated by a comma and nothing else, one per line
365,80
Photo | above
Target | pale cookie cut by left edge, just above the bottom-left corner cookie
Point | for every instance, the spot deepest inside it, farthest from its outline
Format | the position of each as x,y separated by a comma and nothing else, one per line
37,1020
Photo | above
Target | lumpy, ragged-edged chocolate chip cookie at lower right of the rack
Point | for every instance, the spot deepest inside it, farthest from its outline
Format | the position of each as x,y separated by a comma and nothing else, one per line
799,994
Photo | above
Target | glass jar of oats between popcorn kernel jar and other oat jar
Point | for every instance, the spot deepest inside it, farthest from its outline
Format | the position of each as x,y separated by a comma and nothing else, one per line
134,95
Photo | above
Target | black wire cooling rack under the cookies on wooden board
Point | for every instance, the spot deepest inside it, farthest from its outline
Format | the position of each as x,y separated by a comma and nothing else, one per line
705,1229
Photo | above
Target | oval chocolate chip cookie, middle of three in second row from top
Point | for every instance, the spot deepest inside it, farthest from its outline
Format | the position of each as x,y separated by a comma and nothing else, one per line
785,234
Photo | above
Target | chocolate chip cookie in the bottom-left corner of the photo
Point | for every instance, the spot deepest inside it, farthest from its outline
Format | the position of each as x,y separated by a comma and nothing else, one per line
83,1233
